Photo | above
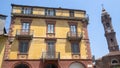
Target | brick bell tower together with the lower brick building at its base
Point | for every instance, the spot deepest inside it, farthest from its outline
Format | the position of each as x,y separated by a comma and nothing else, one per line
112,59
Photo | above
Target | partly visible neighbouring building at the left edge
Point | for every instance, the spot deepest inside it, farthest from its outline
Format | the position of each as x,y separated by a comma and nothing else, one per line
3,37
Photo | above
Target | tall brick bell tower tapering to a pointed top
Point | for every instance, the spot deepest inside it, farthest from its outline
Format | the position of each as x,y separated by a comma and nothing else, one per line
109,31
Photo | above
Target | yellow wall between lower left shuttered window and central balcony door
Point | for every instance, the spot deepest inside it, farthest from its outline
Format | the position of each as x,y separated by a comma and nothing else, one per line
36,48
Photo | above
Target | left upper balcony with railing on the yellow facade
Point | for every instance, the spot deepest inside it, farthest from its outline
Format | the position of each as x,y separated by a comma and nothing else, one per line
24,34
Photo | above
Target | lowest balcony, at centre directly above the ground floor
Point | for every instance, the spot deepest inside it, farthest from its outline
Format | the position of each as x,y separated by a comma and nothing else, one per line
50,56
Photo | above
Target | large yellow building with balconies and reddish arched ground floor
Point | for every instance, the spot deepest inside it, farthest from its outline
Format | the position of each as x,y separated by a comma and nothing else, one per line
44,37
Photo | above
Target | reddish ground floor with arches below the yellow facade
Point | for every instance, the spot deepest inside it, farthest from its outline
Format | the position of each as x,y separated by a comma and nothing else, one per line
47,63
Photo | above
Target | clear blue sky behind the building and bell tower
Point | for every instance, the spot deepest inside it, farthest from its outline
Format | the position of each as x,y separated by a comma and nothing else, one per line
93,8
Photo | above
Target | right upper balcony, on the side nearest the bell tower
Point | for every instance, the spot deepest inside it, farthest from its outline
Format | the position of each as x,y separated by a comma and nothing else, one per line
77,36
